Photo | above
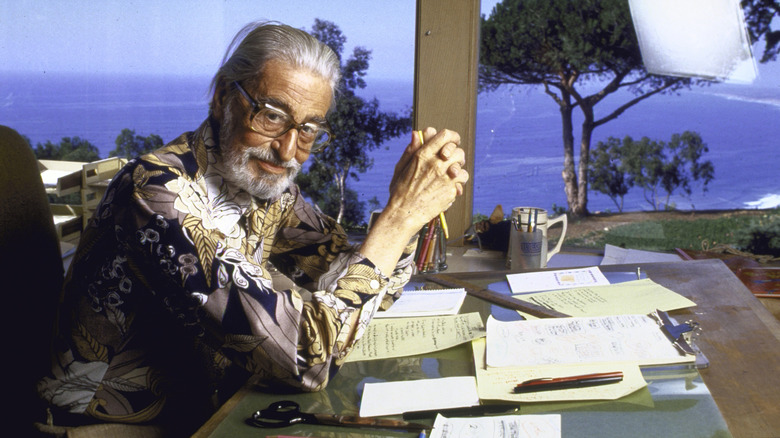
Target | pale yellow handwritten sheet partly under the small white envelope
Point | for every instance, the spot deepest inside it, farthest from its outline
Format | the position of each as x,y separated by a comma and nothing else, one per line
630,297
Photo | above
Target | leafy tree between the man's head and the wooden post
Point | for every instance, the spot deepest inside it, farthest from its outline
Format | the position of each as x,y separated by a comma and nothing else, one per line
359,127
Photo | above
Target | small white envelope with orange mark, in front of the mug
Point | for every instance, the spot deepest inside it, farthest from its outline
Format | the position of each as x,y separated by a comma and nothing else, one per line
554,280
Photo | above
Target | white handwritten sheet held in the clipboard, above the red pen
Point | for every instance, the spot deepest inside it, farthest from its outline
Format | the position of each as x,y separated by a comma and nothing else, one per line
589,339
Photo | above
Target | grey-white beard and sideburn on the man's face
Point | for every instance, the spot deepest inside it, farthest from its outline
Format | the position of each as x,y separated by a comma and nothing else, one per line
236,165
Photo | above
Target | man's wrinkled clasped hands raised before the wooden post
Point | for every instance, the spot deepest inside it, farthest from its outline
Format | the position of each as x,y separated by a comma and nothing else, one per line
429,176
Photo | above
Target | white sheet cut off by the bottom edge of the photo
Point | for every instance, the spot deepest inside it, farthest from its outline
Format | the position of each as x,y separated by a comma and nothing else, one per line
515,426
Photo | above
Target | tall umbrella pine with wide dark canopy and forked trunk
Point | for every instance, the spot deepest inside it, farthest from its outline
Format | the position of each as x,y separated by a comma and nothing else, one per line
570,49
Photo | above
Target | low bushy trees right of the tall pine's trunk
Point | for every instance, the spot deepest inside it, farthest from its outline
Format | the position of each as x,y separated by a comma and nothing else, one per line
658,168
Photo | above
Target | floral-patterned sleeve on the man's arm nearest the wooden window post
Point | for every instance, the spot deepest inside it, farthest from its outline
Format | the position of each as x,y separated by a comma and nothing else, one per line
312,249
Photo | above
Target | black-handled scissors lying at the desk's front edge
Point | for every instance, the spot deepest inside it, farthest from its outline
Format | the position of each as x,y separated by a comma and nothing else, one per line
287,413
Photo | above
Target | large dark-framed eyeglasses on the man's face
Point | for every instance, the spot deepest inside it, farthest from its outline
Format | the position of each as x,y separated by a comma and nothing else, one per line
273,122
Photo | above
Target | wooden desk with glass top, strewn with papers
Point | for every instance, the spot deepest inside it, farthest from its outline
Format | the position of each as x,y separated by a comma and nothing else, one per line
740,338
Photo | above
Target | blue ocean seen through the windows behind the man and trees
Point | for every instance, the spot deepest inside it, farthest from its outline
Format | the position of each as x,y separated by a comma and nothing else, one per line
519,153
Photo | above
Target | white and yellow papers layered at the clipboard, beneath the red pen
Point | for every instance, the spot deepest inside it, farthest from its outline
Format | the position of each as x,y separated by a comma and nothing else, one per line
517,351
